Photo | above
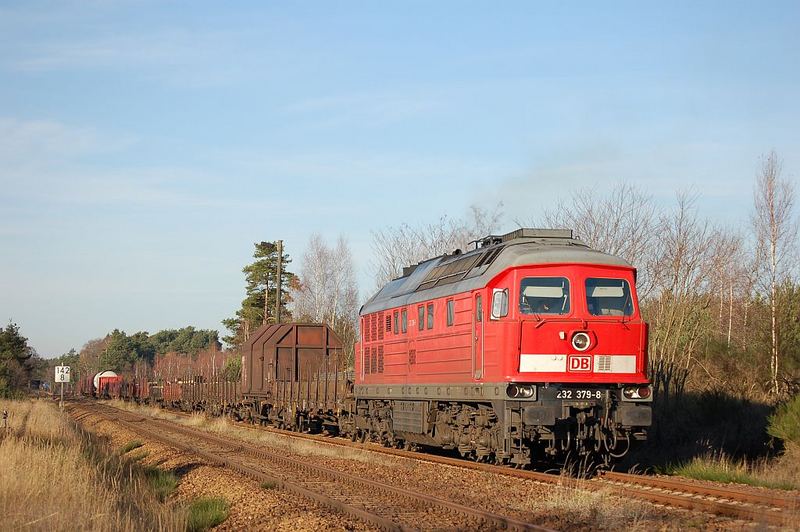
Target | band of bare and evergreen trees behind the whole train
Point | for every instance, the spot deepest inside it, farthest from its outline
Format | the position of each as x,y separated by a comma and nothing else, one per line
723,303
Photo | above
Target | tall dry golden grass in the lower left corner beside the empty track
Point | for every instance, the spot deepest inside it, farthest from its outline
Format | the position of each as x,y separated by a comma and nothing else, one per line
53,476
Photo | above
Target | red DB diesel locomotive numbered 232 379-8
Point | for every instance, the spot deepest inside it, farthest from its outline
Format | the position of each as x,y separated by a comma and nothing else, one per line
530,347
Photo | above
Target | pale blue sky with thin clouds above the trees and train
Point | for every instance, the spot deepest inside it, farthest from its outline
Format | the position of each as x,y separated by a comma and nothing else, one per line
144,146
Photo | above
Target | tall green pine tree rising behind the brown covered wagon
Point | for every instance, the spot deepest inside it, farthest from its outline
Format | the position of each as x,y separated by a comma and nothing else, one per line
261,279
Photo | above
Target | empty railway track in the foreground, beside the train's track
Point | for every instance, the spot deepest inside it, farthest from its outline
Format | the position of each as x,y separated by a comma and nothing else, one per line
383,505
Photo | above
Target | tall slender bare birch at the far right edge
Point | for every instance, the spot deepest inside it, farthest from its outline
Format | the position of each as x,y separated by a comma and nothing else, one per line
775,229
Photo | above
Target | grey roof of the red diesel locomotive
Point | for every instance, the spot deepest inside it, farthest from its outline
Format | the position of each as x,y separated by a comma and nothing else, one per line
449,274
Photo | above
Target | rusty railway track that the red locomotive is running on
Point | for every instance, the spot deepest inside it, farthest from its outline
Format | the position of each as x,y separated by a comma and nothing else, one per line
737,503
